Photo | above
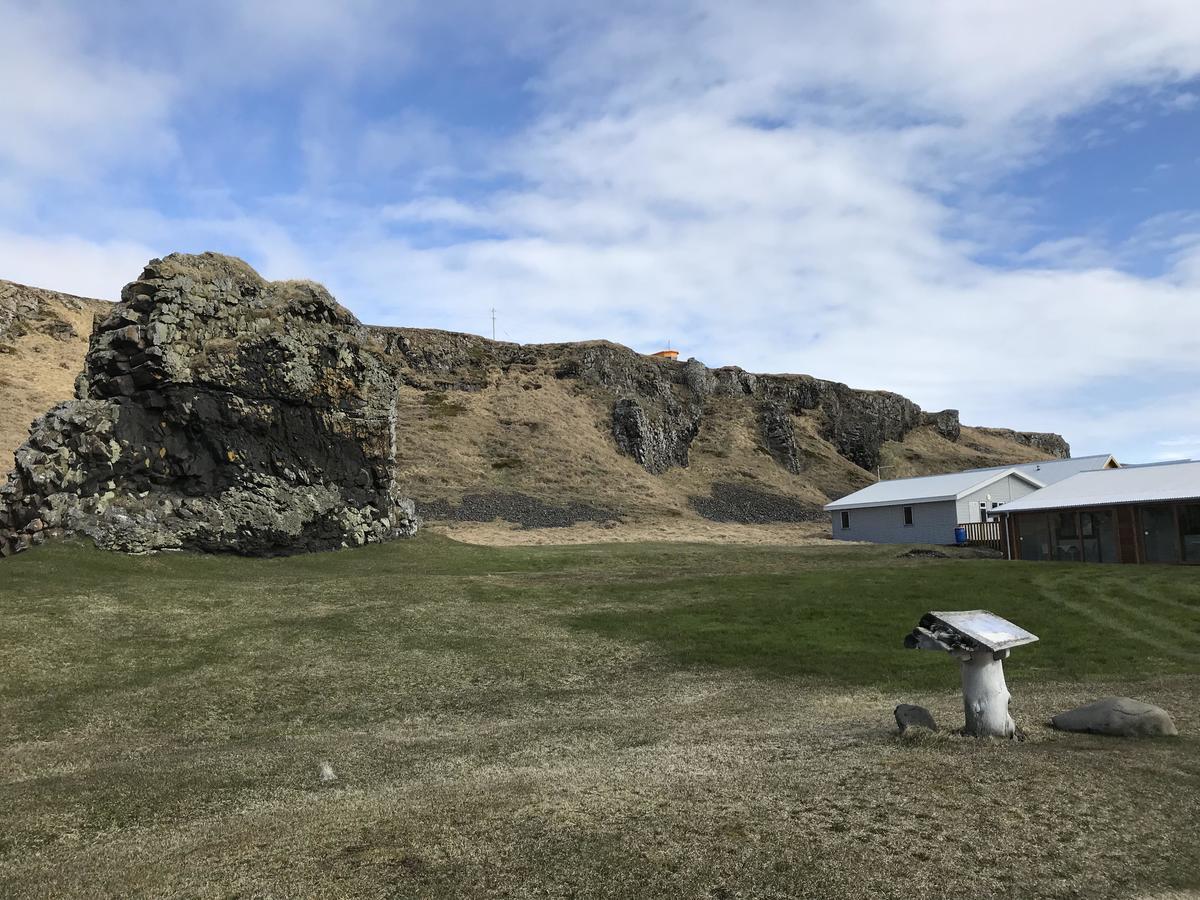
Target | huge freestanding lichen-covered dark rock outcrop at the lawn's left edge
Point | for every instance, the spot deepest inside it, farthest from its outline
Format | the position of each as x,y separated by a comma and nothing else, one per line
217,412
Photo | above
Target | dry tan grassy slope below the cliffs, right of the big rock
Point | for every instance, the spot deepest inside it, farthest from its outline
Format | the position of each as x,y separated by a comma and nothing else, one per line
525,433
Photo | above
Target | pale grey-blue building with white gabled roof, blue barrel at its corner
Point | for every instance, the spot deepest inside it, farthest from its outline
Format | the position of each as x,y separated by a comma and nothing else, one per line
927,511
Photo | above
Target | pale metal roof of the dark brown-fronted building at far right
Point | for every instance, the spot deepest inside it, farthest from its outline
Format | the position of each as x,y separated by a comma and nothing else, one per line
1109,488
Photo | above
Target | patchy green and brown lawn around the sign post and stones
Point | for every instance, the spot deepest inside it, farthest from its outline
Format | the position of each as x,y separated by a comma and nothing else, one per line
609,721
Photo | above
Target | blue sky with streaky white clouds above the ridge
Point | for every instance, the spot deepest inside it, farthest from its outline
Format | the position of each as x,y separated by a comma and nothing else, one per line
986,207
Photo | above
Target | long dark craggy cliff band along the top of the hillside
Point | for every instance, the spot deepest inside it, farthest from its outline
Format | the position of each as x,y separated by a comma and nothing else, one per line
659,405
